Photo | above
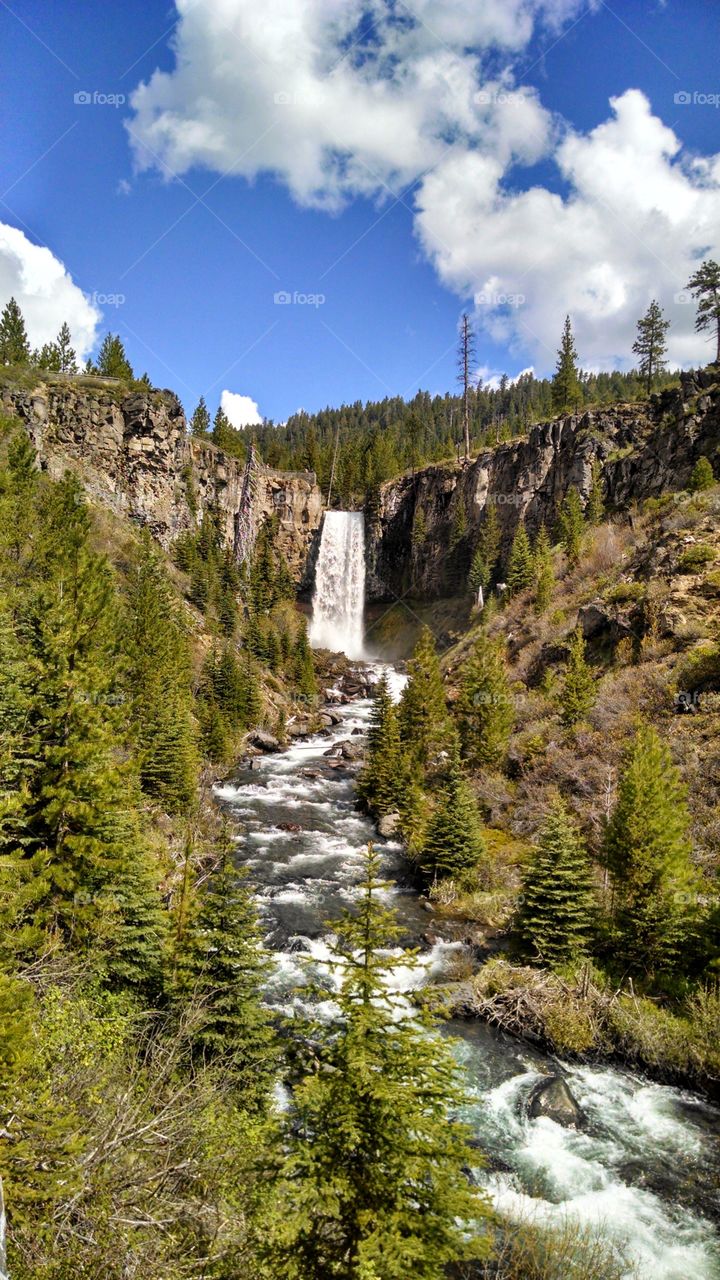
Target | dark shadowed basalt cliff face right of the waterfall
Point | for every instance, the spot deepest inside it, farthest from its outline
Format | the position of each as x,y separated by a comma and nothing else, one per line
422,537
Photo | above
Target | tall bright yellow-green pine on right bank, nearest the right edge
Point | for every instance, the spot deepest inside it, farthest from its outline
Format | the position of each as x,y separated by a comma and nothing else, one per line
649,857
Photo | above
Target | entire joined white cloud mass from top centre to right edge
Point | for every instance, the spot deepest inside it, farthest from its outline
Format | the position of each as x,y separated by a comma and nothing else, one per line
371,99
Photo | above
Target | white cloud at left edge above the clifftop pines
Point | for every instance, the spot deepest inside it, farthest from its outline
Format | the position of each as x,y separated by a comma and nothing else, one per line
45,292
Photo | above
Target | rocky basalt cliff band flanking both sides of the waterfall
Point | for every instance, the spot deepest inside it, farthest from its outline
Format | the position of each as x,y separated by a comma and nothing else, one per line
134,455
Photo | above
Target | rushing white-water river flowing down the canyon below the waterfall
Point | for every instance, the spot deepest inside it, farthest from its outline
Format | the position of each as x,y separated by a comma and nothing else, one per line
646,1167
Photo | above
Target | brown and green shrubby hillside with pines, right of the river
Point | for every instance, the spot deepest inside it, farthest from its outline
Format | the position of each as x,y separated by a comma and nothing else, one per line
577,716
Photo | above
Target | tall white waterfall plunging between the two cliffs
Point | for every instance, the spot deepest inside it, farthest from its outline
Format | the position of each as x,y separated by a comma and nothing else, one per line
339,602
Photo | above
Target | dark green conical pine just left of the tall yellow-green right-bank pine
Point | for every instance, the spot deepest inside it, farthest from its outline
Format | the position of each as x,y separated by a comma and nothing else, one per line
555,917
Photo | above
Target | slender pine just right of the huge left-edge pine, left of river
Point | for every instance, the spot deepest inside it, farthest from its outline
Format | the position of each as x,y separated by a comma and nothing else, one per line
160,685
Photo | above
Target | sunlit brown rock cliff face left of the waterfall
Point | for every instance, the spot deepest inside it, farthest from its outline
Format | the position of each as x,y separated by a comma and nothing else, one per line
133,454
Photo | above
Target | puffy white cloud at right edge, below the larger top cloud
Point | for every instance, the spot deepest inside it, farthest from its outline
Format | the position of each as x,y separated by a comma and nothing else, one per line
637,218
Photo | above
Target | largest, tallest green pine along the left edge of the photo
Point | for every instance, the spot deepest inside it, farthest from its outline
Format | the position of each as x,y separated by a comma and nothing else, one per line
83,874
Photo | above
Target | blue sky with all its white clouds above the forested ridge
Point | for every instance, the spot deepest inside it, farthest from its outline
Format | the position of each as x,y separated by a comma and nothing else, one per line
386,203
